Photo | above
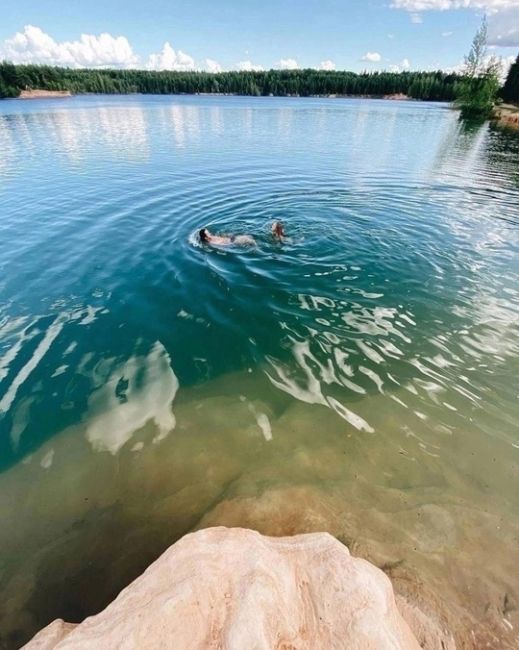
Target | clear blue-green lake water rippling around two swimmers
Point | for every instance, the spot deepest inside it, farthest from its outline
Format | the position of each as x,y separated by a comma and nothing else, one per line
360,377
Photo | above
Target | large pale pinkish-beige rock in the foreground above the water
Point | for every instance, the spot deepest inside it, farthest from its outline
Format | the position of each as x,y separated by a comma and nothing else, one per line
234,589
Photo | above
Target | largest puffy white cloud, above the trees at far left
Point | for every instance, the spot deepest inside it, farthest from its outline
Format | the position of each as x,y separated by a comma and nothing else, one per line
33,45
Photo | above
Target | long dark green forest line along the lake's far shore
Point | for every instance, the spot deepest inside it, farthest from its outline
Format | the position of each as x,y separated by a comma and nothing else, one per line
433,86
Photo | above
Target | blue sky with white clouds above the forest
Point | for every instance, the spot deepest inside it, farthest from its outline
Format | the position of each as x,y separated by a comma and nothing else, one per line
219,35
